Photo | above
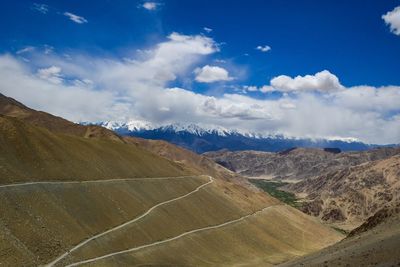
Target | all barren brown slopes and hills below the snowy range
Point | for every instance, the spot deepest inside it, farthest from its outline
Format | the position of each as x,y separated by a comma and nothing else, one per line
84,195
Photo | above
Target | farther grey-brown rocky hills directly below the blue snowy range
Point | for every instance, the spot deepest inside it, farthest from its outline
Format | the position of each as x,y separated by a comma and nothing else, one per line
296,163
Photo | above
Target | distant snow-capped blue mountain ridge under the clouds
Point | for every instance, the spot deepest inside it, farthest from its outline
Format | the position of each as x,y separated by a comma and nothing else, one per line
204,138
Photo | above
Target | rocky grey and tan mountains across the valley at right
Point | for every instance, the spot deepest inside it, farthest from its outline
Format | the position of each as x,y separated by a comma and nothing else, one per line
342,189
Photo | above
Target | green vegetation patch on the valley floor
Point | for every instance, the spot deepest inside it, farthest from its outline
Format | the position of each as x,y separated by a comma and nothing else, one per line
272,188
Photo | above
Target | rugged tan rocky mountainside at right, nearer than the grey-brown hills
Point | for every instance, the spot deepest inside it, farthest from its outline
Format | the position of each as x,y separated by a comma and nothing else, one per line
349,196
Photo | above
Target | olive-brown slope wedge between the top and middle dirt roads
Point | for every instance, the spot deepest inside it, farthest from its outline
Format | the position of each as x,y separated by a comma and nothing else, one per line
40,222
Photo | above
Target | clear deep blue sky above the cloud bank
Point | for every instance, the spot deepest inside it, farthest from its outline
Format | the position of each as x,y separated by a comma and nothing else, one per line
349,38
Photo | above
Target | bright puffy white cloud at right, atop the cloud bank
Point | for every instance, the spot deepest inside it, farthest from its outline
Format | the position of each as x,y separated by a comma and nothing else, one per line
323,81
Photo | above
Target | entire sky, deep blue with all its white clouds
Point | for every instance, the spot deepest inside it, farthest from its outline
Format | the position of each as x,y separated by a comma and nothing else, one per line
327,69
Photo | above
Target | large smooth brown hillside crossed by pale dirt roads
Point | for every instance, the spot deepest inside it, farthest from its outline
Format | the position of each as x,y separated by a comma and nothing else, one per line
72,200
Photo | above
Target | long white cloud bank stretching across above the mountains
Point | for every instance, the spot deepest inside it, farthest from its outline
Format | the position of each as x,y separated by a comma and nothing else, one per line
82,87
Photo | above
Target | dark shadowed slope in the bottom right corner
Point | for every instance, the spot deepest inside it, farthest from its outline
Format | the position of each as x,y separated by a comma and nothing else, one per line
375,243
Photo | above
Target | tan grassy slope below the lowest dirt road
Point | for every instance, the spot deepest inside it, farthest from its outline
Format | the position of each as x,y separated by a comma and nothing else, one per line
269,238
